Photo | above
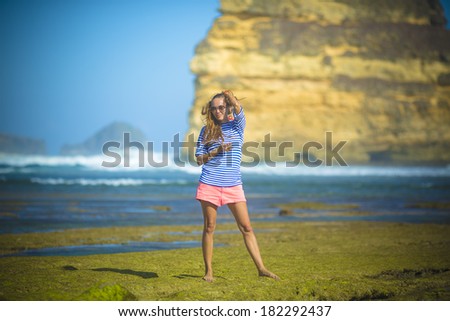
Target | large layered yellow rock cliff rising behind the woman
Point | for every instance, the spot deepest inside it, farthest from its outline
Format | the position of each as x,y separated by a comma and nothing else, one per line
374,73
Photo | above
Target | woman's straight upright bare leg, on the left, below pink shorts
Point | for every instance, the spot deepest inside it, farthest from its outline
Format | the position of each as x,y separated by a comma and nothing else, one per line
209,218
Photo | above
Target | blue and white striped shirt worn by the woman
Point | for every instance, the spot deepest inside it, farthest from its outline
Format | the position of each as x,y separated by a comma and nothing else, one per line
224,169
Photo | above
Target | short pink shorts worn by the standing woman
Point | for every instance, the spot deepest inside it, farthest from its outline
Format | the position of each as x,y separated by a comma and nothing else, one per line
220,195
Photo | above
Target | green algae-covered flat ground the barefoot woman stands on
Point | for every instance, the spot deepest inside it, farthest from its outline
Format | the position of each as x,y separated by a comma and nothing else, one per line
315,260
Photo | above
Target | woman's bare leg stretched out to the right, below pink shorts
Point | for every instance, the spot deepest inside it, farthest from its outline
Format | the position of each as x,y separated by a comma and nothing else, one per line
240,213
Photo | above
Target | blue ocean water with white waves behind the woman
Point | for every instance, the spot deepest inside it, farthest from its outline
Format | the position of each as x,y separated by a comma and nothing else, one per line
48,193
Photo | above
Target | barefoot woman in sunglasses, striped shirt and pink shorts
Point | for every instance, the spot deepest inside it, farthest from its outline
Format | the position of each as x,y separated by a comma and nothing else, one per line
219,151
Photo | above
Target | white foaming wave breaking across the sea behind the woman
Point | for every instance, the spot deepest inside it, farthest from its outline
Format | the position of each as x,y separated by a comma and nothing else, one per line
30,164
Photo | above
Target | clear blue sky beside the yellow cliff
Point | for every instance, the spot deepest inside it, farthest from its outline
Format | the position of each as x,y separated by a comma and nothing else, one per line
70,67
